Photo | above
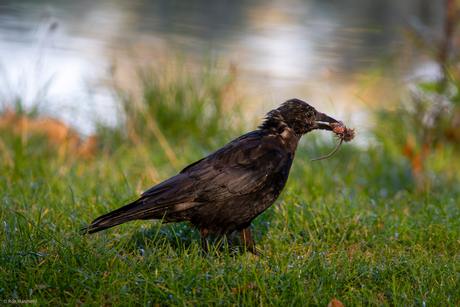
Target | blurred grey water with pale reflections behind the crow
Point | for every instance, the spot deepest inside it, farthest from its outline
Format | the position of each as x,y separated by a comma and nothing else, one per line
285,49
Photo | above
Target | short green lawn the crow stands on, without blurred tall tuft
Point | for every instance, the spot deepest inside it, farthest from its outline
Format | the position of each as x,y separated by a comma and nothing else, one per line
353,226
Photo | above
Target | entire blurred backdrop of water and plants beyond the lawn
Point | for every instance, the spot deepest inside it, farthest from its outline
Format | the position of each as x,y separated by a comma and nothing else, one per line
92,75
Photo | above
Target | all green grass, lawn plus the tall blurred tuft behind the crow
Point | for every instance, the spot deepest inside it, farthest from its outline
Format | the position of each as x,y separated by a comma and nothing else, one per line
373,226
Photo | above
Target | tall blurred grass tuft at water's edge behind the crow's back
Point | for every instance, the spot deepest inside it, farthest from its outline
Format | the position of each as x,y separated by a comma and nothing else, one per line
185,105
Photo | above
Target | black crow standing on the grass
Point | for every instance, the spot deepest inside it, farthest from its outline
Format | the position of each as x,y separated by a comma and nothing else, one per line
226,190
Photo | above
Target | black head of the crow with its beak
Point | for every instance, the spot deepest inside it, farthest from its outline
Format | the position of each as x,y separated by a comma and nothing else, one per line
298,116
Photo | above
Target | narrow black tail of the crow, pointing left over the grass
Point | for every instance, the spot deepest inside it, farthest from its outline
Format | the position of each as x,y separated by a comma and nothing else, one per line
114,218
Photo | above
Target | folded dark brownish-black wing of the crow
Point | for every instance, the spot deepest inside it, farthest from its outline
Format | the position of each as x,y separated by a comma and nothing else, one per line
241,167
